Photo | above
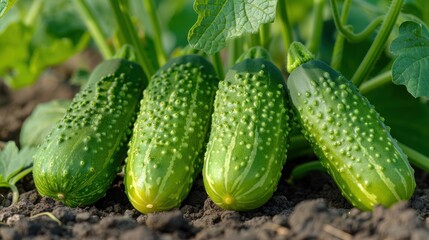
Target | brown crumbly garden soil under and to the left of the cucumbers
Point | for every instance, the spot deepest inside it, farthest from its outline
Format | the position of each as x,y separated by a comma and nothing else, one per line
308,208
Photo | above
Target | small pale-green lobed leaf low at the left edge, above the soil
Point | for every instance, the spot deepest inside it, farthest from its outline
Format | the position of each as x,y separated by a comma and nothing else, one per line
14,165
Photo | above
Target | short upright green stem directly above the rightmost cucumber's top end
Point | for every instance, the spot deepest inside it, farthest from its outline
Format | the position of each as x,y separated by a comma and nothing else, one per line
314,41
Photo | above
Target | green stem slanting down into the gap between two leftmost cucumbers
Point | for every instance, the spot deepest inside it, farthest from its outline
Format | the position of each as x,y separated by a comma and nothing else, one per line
129,34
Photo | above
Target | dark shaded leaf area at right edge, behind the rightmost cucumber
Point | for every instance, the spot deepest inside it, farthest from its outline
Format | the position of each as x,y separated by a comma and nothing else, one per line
408,117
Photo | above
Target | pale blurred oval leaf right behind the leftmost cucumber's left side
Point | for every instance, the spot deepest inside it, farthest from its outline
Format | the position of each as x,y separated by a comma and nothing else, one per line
37,126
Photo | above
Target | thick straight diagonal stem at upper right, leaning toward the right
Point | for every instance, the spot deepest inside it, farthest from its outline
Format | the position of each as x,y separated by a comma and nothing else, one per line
377,46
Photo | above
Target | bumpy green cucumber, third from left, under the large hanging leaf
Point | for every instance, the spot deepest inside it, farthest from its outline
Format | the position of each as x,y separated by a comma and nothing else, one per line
248,140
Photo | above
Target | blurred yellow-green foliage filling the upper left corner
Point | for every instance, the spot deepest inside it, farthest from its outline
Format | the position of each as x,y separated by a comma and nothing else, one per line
55,34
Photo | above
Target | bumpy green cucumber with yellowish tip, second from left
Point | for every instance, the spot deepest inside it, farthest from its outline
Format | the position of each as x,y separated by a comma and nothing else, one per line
170,133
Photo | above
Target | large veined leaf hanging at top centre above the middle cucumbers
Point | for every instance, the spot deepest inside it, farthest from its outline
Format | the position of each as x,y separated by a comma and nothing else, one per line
220,21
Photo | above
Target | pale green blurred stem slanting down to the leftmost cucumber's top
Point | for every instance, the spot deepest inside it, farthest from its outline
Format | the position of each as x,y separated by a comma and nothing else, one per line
94,28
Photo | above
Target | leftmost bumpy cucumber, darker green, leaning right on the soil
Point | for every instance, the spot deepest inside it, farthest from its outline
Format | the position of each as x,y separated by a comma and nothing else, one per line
81,156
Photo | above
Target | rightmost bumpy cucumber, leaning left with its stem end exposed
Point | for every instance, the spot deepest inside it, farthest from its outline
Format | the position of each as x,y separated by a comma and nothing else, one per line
349,137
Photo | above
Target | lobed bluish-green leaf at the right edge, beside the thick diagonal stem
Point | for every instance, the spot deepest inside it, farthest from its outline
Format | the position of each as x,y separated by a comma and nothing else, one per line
411,67
